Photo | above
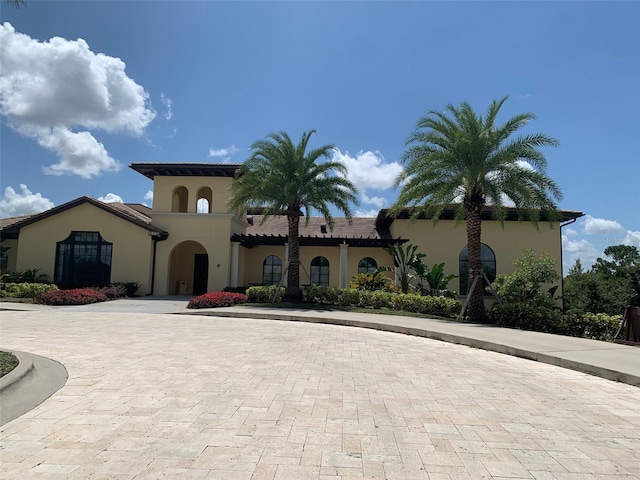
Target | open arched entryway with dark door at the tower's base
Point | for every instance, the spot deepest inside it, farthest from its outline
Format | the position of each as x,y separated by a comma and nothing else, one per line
188,269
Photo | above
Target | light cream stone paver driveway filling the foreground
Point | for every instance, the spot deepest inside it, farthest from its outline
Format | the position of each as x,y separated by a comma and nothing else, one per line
162,396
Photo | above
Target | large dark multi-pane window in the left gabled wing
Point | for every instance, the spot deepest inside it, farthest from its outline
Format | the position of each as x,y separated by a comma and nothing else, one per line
83,259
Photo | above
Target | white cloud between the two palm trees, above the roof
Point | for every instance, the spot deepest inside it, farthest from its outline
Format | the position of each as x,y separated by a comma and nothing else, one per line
369,171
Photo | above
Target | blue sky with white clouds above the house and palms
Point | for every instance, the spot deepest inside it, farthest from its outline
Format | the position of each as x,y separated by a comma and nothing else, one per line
87,88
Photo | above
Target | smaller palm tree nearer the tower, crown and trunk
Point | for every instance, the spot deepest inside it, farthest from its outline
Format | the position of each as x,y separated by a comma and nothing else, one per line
286,179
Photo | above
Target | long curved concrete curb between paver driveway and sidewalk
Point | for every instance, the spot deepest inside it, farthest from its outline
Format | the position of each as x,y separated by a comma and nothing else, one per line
548,357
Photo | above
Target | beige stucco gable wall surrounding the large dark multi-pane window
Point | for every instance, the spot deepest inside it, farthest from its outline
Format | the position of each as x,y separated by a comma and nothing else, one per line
131,255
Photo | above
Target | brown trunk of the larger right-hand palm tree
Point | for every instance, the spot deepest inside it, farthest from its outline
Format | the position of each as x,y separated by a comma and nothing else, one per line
476,308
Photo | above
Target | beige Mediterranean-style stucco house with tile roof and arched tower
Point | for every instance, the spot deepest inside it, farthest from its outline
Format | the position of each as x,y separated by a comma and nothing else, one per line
189,243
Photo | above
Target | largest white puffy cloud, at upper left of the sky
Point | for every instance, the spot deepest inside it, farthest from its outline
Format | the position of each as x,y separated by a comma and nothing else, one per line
57,91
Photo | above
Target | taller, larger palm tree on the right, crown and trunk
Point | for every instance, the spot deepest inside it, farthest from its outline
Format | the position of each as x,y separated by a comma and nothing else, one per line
460,159
